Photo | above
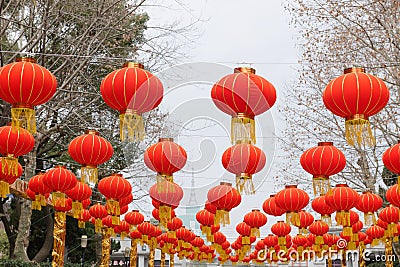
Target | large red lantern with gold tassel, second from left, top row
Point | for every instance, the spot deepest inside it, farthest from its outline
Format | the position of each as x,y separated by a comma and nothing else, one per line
131,91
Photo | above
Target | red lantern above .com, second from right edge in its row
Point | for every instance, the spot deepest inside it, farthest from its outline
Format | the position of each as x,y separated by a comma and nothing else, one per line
369,203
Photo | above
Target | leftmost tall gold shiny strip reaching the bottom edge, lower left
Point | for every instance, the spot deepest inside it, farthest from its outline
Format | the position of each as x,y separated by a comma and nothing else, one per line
59,239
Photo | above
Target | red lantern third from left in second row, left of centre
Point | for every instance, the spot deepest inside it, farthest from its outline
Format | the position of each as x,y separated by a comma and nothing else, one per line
165,158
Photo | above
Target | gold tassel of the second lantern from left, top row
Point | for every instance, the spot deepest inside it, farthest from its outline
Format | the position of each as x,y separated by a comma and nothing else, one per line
131,126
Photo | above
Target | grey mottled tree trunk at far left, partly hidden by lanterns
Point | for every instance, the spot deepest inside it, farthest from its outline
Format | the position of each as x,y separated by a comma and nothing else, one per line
24,225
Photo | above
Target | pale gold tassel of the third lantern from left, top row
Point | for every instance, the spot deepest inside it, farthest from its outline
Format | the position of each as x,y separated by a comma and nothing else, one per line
242,129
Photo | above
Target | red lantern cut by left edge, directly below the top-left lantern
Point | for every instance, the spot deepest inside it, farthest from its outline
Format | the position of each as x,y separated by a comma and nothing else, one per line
14,142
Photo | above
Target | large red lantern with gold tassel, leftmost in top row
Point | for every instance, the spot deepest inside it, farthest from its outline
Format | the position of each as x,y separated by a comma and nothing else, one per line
25,84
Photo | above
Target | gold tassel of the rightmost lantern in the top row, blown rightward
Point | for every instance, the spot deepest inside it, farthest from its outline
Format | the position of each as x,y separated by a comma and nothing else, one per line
358,131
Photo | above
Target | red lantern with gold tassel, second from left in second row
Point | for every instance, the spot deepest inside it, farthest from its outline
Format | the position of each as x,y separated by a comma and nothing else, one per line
90,150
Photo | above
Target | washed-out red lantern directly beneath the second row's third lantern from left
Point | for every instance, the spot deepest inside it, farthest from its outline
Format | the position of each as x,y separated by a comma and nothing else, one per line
168,198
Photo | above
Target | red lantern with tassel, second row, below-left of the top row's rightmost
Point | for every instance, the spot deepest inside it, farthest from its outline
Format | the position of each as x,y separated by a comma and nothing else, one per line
322,161
